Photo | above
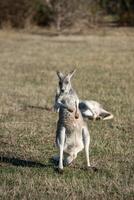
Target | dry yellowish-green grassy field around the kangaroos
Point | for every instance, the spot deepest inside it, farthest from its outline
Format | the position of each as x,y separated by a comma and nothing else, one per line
105,72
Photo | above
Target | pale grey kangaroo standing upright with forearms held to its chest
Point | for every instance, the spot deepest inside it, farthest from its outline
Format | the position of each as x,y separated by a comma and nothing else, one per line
72,134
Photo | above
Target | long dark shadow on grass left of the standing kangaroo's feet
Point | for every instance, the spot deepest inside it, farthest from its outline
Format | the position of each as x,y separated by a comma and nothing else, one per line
23,163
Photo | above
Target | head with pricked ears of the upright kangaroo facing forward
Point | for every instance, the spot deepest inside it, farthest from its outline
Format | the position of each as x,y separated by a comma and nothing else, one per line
65,81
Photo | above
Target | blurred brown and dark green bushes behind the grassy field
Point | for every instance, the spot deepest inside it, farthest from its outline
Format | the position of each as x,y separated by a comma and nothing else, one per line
65,14
